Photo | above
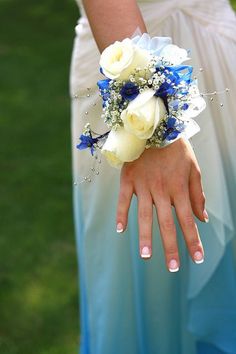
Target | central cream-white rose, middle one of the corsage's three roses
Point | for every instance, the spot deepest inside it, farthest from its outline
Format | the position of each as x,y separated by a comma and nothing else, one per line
143,114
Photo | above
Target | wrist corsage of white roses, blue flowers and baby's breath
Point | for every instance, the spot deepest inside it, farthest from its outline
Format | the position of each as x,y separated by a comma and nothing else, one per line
149,98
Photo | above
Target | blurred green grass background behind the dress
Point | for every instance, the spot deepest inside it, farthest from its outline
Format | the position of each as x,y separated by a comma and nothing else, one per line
38,270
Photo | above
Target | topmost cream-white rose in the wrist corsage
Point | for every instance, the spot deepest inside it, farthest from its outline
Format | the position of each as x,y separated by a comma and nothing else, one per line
120,59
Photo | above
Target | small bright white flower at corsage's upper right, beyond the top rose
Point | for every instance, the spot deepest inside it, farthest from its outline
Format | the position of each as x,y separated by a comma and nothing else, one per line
174,54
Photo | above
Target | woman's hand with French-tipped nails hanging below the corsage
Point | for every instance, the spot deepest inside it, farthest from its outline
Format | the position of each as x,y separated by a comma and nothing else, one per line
165,177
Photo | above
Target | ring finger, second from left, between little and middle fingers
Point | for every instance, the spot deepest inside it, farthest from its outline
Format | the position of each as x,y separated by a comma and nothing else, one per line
145,224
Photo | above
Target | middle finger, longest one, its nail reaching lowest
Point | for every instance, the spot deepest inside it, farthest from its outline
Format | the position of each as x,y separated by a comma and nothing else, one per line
168,233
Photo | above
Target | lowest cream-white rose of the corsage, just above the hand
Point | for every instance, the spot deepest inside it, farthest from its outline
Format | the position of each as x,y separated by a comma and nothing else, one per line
121,147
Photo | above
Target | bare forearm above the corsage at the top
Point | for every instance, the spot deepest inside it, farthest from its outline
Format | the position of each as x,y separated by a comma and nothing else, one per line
113,20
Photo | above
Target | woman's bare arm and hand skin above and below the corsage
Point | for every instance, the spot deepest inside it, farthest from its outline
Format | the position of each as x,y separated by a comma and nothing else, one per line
167,177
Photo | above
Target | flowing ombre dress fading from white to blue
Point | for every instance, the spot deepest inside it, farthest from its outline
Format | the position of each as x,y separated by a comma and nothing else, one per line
132,306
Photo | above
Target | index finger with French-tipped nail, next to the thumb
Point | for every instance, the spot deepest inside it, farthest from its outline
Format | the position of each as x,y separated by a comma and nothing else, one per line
189,228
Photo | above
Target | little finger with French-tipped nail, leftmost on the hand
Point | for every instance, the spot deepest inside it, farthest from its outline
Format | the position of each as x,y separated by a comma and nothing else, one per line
124,200
